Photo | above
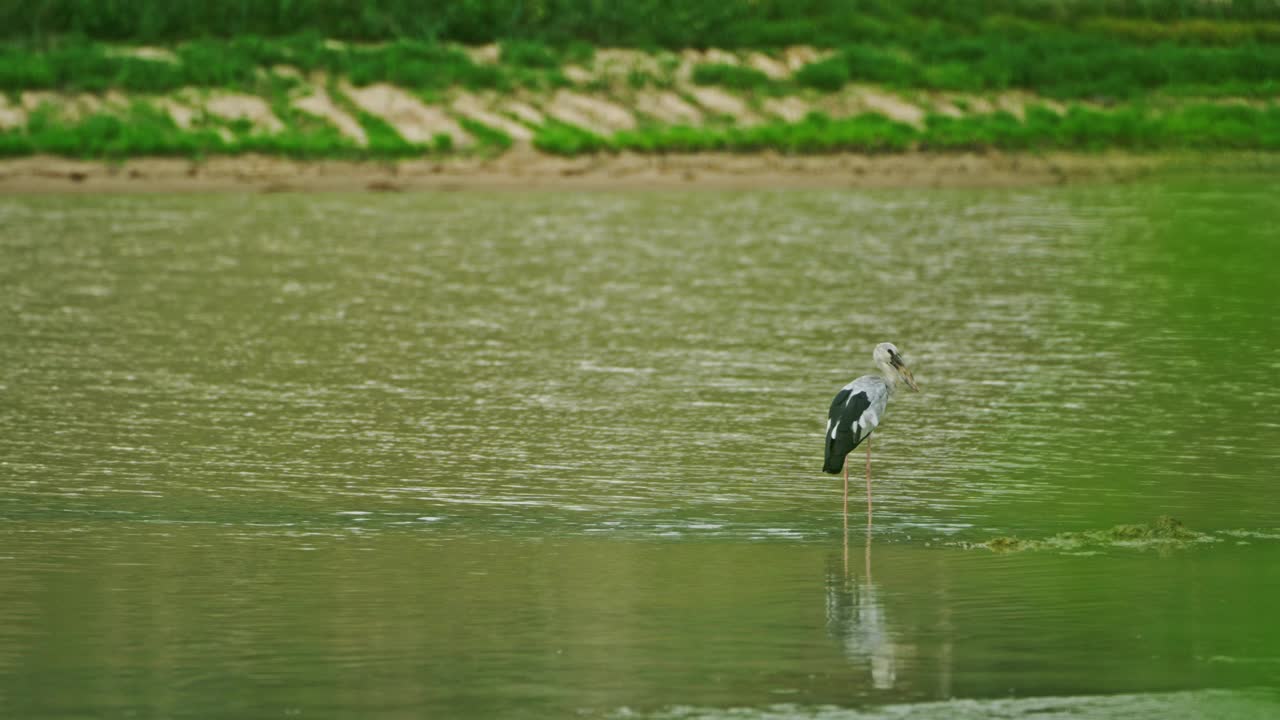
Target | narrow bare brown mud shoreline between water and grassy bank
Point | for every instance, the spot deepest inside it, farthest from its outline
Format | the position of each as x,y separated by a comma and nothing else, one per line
520,170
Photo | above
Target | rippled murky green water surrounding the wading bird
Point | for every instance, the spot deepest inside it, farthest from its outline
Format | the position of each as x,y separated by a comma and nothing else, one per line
538,455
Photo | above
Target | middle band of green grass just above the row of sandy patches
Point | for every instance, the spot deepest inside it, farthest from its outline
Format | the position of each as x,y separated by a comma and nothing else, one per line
1063,66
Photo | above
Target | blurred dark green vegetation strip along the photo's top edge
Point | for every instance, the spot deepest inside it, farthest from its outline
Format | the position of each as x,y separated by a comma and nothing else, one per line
647,24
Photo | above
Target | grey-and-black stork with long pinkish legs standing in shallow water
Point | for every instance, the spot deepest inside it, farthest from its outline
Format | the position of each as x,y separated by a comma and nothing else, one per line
857,411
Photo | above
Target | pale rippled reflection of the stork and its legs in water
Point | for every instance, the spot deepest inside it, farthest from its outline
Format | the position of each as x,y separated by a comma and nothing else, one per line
856,617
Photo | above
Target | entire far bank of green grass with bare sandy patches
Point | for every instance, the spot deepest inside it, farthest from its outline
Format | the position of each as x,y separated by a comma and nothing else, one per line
390,80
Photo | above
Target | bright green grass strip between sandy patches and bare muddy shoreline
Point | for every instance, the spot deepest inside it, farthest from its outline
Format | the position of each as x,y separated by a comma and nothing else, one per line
144,131
